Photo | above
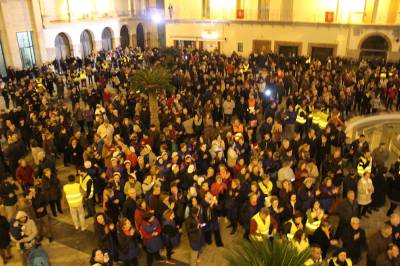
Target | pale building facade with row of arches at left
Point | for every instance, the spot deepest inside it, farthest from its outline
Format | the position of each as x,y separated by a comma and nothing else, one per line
38,31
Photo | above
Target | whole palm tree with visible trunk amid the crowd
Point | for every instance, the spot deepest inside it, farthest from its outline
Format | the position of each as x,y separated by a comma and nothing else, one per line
151,81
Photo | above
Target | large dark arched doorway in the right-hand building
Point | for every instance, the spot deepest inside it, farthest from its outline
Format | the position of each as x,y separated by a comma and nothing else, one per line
374,47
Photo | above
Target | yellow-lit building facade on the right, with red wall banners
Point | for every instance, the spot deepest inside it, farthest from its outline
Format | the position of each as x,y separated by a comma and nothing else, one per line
320,28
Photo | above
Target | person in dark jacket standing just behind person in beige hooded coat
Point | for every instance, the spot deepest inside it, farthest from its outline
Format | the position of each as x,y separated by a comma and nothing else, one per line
39,204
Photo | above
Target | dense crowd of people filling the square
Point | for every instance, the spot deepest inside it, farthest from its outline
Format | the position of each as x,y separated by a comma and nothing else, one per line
256,144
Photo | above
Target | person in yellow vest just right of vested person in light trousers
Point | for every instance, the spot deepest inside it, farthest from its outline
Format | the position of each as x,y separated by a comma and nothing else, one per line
87,186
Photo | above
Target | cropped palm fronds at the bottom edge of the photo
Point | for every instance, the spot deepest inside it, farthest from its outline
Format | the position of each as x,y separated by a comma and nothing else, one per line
278,252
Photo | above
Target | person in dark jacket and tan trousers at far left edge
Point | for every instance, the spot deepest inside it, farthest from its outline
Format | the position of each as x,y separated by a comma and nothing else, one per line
8,195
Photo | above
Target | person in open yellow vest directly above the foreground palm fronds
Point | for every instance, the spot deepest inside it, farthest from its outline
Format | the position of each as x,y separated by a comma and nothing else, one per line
260,225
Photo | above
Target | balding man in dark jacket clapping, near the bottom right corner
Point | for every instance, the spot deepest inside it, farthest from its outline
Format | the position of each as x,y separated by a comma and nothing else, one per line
354,240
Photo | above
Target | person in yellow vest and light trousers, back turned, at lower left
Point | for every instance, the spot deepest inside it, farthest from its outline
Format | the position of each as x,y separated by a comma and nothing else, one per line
74,198
